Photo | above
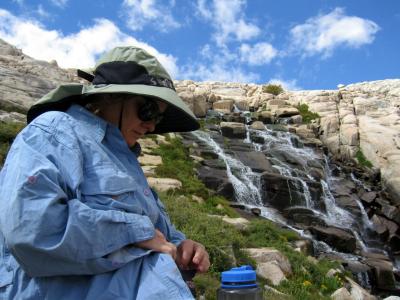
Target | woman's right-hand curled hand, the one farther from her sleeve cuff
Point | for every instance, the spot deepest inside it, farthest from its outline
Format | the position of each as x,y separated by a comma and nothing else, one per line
192,255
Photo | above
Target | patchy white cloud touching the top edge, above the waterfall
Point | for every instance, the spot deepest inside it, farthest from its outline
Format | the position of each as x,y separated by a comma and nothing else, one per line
228,19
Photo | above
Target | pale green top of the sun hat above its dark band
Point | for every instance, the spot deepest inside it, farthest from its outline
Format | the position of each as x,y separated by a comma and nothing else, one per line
137,55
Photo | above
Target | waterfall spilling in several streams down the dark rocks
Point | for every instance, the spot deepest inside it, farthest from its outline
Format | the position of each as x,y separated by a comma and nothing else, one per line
295,163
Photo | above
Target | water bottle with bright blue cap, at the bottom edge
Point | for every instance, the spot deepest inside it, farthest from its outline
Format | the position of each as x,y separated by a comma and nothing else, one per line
239,284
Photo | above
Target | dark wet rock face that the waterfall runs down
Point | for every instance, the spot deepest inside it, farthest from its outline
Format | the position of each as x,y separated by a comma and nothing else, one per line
356,195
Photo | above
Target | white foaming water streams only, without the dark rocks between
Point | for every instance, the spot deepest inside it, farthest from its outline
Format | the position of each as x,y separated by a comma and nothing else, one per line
247,183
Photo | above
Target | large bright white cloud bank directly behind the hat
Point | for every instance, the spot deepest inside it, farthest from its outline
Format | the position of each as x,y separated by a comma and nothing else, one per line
79,49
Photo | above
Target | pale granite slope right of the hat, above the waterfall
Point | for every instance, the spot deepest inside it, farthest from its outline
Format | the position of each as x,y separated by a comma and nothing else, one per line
363,116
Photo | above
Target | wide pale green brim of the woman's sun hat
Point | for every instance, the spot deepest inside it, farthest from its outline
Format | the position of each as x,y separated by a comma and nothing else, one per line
177,118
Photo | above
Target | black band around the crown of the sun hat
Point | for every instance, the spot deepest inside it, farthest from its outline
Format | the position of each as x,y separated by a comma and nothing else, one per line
121,72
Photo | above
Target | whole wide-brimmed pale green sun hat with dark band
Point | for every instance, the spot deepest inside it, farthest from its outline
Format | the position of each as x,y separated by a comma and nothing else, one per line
125,70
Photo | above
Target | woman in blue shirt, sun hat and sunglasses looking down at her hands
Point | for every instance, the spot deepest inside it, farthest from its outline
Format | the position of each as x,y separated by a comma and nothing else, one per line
77,217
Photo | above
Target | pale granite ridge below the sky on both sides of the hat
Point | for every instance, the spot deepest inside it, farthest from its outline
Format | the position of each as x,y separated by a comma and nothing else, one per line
362,116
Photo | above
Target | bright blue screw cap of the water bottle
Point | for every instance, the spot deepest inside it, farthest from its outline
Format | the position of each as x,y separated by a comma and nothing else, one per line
239,278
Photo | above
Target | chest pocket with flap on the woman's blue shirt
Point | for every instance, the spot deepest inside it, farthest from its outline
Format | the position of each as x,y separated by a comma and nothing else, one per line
106,187
